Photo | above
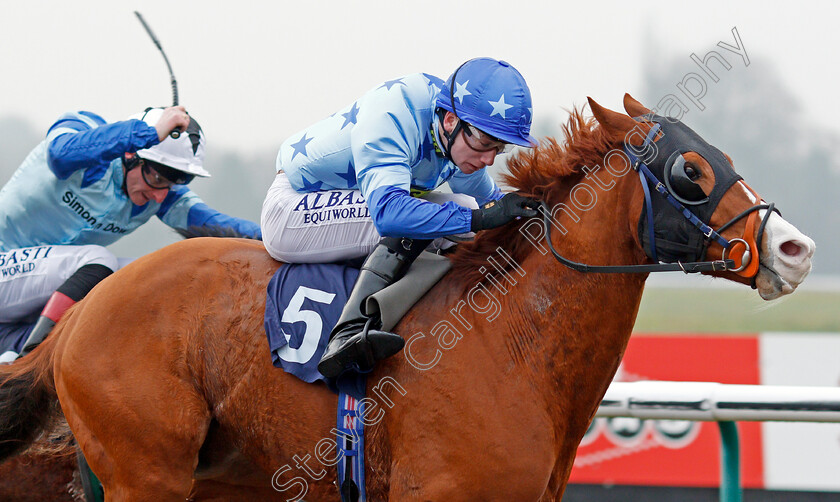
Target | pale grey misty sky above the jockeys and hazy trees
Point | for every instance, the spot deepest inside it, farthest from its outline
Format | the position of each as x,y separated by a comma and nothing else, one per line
254,73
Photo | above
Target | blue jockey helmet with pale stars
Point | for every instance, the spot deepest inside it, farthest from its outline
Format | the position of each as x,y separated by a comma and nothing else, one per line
492,96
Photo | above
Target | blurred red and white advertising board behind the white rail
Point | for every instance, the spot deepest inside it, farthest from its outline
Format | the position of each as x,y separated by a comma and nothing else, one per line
804,456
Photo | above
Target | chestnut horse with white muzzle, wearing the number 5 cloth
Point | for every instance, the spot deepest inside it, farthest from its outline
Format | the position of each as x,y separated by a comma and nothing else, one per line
164,375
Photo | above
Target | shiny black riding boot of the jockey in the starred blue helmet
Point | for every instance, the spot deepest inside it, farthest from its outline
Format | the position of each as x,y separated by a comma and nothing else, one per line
351,346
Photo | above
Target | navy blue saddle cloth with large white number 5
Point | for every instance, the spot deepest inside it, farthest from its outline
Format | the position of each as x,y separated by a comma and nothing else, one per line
303,303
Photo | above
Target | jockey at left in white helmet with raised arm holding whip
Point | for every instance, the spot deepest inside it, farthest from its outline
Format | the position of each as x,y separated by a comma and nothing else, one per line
85,186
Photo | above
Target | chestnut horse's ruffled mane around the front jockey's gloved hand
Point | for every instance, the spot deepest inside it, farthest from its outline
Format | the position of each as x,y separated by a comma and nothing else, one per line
547,172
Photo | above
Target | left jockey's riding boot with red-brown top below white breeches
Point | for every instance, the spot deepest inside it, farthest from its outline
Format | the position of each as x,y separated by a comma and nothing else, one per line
74,289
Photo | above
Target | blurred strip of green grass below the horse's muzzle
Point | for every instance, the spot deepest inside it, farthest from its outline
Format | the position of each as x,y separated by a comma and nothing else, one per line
708,310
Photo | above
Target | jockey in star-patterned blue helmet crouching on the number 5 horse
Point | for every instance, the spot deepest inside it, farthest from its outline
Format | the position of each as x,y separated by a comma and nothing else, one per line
358,183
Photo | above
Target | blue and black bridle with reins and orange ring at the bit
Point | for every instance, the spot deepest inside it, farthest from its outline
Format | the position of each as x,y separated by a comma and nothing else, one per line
749,261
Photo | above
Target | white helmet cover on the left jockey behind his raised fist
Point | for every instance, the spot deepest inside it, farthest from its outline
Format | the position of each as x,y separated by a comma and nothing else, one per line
186,153
